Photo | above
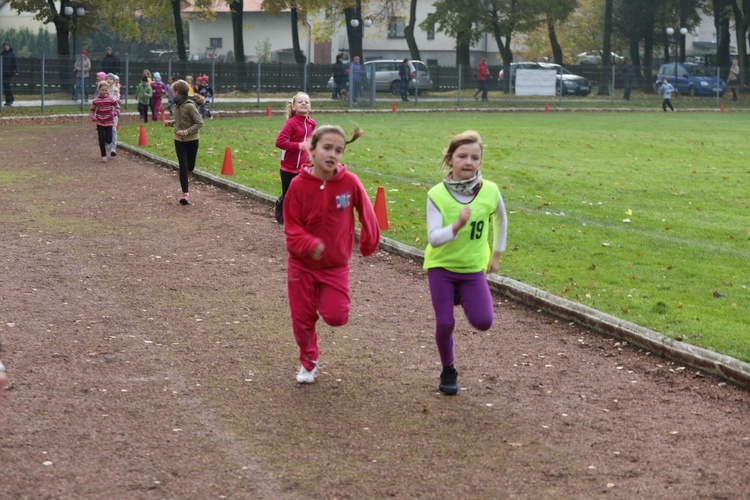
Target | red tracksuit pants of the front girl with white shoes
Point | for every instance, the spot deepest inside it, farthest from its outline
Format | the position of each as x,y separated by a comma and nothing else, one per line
311,293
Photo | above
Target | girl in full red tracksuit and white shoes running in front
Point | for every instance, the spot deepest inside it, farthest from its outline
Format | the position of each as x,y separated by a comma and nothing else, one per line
319,215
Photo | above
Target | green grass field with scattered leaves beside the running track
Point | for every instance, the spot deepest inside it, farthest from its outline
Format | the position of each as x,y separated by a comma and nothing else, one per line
644,216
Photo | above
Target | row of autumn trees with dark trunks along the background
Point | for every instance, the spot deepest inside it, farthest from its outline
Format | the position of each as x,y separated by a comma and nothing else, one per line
633,27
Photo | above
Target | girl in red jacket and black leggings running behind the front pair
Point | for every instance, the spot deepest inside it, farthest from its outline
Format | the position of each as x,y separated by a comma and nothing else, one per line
294,142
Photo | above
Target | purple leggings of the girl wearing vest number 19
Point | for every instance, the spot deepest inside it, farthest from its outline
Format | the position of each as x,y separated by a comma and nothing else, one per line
476,300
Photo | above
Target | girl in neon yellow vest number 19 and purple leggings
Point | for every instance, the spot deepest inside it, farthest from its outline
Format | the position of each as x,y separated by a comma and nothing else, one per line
466,230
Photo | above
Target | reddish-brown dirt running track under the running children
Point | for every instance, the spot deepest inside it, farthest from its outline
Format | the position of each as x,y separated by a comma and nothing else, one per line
151,356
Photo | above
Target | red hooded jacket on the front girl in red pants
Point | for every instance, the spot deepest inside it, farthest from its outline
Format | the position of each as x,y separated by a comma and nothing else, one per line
322,211
